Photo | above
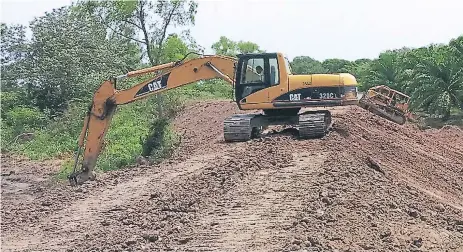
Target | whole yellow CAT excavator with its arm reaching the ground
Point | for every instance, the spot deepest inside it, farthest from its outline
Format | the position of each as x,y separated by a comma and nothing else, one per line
261,81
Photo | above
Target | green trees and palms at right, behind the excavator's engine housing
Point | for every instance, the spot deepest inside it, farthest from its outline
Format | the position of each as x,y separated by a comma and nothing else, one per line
432,75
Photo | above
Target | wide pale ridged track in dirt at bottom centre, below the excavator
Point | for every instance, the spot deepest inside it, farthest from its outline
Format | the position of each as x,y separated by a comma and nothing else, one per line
256,215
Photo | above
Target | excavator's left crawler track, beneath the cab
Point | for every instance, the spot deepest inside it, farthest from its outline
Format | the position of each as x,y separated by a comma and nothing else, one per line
237,128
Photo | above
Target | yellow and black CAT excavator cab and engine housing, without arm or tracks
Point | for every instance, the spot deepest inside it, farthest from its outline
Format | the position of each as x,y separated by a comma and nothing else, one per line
264,81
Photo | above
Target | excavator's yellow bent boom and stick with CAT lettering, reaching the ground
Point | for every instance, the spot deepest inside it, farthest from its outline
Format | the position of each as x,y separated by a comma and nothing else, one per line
106,98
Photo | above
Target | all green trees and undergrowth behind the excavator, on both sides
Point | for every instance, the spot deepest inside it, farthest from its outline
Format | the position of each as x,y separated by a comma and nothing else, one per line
48,80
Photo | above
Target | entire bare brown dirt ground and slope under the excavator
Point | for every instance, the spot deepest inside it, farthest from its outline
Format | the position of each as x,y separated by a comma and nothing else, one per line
370,185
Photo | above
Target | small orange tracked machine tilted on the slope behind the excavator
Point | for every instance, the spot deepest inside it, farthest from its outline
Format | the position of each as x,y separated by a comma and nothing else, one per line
387,103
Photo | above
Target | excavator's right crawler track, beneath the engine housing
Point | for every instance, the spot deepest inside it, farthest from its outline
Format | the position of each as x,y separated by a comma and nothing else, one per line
312,125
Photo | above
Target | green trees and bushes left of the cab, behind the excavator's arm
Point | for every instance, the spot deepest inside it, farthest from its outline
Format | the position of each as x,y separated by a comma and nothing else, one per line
48,80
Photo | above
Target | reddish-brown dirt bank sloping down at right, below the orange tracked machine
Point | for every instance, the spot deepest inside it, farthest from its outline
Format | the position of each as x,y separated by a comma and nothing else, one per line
431,161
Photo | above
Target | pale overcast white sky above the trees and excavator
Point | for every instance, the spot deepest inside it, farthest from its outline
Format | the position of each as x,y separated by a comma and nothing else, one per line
318,28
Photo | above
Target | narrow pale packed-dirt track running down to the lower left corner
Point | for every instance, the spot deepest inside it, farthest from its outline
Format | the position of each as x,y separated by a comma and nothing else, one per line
66,226
